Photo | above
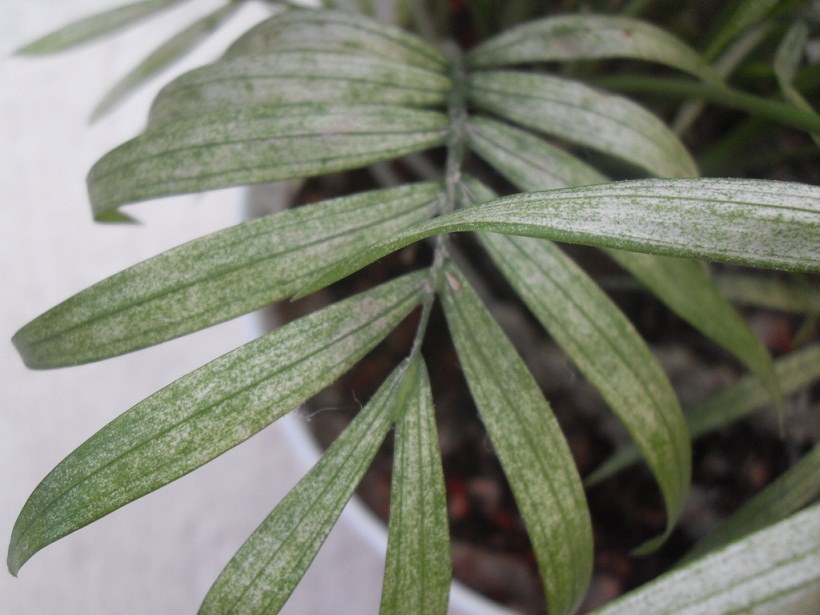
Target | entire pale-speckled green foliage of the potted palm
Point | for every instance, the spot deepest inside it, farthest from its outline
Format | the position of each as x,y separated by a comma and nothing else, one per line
308,92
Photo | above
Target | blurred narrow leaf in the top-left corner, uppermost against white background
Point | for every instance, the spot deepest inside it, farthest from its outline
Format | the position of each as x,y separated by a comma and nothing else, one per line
98,25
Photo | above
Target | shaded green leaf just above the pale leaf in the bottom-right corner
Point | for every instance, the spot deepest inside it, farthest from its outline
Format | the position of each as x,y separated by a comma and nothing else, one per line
792,491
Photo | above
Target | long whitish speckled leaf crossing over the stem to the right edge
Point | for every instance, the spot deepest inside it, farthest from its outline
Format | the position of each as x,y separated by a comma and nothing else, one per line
744,221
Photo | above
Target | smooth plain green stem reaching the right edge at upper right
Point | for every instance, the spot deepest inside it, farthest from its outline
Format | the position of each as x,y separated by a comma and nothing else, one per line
756,105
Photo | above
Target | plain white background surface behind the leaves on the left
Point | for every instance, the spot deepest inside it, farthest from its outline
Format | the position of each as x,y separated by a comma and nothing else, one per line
160,554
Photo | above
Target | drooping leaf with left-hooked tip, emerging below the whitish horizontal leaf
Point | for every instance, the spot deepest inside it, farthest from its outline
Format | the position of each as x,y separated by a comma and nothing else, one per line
607,350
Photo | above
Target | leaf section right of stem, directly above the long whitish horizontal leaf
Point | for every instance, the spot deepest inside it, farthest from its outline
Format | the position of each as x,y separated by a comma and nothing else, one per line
526,160
